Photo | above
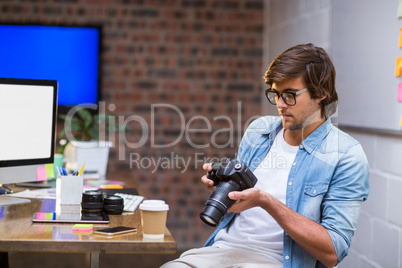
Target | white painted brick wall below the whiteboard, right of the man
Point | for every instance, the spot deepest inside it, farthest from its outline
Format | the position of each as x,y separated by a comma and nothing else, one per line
378,239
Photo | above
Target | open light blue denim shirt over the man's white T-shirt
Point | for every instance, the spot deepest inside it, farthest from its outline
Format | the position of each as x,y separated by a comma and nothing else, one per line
327,183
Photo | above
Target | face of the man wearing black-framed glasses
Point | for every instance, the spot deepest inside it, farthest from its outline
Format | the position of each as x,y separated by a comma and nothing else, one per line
305,112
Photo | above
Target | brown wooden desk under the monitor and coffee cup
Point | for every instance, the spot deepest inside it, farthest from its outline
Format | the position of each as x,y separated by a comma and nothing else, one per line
19,234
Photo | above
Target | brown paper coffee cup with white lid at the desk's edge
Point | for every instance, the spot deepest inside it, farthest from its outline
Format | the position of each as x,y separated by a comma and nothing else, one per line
153,218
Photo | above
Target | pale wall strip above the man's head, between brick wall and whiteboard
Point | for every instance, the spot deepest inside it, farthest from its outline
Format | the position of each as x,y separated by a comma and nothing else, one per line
292,22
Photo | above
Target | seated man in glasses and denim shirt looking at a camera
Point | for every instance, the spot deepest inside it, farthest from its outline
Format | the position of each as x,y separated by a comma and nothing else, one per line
312,177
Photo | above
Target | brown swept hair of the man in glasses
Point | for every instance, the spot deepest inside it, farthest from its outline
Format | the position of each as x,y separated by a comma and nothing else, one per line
316,69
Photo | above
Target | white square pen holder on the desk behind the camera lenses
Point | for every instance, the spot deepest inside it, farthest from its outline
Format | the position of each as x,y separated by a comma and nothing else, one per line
69,189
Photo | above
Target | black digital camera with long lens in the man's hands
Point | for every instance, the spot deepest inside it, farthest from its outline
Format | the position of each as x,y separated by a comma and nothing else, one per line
229,175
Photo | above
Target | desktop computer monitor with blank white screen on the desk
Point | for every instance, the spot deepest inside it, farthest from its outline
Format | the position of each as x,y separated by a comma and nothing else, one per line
28,111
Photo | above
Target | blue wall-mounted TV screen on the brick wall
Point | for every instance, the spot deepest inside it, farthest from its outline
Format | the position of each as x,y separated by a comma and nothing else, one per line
68,54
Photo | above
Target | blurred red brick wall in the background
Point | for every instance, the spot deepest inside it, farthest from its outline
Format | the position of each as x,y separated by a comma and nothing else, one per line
203,57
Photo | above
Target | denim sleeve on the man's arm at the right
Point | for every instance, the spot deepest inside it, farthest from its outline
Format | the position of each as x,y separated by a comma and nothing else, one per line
341,205
